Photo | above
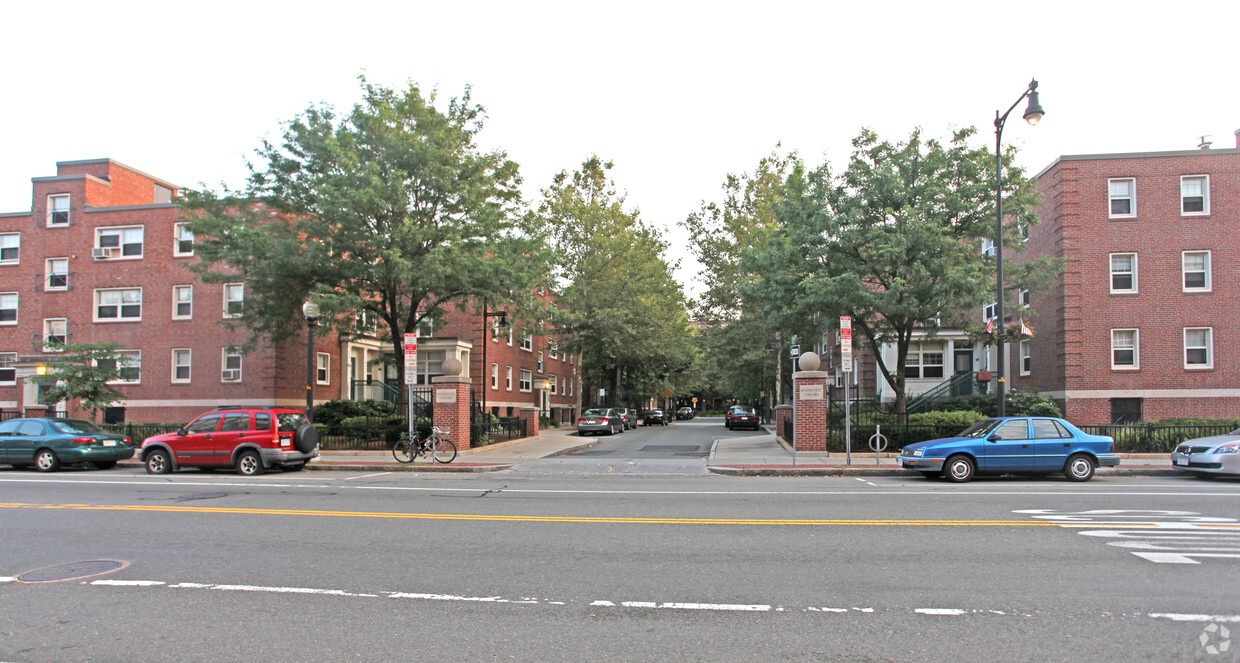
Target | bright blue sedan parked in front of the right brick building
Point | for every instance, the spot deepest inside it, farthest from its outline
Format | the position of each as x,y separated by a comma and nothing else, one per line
1037,446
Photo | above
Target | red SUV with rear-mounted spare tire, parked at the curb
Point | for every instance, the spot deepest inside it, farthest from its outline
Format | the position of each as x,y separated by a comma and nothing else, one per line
251,441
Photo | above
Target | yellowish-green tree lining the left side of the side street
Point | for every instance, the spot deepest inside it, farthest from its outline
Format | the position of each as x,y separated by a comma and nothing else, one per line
619,302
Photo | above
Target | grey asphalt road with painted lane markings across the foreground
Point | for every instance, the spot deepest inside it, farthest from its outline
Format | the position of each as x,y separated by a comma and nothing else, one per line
614,567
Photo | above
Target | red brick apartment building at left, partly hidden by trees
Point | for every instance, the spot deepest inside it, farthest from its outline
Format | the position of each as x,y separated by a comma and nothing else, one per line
101,257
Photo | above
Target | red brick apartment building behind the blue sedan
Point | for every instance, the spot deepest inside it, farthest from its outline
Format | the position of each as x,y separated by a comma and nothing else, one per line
1143,319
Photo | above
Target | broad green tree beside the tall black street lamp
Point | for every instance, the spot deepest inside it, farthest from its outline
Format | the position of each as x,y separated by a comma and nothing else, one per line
896,241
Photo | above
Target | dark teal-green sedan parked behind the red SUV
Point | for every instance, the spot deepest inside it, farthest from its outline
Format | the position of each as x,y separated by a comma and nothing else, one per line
48,444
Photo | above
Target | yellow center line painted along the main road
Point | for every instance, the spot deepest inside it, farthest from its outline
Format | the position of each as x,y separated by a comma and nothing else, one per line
163,509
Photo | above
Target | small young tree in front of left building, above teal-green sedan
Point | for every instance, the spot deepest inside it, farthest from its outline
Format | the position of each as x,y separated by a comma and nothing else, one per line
84,374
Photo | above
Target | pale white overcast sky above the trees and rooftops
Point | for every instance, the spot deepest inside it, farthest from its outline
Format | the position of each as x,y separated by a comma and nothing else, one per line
679,95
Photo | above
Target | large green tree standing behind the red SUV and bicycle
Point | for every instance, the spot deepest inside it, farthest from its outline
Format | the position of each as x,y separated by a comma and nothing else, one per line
384,216
